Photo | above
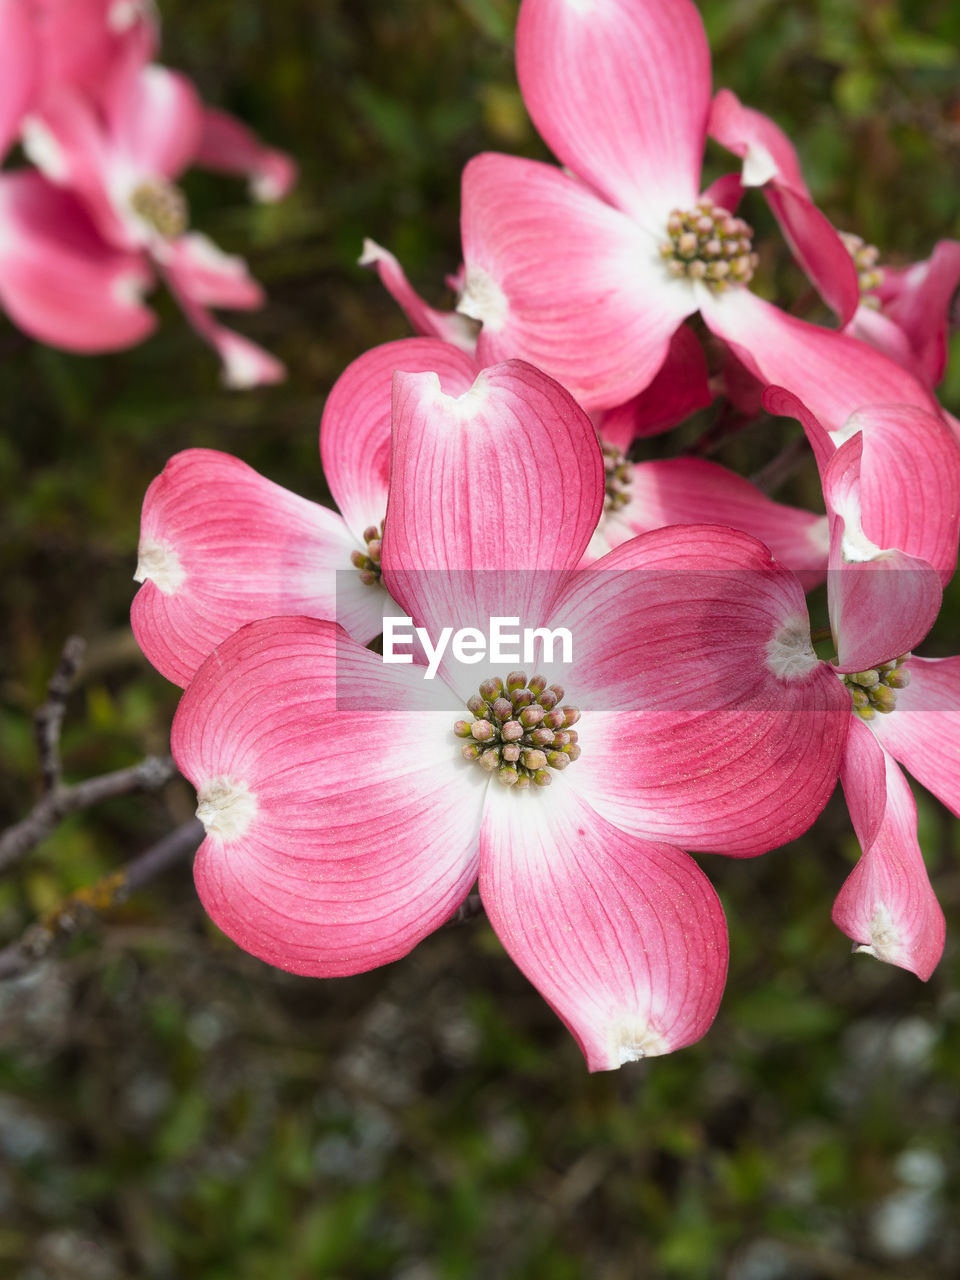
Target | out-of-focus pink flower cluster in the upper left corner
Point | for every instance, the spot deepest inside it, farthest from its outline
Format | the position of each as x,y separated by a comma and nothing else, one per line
86,231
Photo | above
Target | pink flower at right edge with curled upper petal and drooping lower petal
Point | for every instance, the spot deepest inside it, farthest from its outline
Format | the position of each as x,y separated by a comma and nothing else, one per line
893,490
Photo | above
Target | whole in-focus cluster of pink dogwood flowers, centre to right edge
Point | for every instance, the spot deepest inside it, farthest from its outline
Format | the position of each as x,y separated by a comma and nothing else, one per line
482,473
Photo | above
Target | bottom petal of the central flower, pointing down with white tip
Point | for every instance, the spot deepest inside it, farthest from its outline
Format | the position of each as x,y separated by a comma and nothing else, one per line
624,939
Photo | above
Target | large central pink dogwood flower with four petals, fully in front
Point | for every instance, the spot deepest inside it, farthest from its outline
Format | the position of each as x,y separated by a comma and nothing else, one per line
350,804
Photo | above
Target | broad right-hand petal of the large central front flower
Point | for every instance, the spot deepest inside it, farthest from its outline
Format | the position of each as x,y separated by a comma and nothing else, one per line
707,719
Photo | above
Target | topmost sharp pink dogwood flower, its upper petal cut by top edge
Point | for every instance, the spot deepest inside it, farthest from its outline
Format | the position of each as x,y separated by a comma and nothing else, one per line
589,273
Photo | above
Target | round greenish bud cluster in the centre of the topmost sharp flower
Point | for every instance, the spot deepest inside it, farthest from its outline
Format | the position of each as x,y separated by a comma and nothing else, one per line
710,244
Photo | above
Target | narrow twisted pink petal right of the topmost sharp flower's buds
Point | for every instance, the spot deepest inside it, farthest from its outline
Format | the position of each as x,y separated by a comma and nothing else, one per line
770,162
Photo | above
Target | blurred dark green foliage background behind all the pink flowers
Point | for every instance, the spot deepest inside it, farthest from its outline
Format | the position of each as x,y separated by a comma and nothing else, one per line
171,1108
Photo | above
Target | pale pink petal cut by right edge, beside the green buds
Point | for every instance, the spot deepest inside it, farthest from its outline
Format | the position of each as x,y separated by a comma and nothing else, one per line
924,733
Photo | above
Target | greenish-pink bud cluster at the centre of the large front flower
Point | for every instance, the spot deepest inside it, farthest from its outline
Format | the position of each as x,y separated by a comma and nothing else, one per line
520,732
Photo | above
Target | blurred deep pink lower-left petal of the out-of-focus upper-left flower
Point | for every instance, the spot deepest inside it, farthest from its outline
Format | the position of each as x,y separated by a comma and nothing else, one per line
60,282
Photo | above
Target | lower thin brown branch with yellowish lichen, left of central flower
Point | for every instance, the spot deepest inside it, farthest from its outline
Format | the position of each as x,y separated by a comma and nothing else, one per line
81,909
